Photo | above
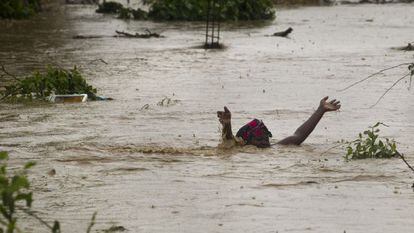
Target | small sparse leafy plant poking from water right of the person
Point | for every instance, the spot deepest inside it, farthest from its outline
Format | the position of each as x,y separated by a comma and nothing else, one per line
370,145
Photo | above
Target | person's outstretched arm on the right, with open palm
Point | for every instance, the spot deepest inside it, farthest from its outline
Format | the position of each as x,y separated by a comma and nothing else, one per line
306,128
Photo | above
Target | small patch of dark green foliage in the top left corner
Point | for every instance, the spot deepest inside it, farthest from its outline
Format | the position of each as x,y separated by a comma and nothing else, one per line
18,9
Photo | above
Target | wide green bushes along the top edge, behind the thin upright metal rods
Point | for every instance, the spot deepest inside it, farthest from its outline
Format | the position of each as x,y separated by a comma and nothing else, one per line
194,10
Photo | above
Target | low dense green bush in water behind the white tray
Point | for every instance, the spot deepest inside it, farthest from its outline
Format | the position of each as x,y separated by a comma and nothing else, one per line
39,85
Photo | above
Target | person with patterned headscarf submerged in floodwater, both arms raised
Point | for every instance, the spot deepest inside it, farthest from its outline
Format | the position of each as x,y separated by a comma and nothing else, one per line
255,132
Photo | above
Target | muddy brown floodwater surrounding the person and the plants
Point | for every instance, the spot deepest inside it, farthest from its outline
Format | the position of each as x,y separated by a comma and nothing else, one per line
158,169
